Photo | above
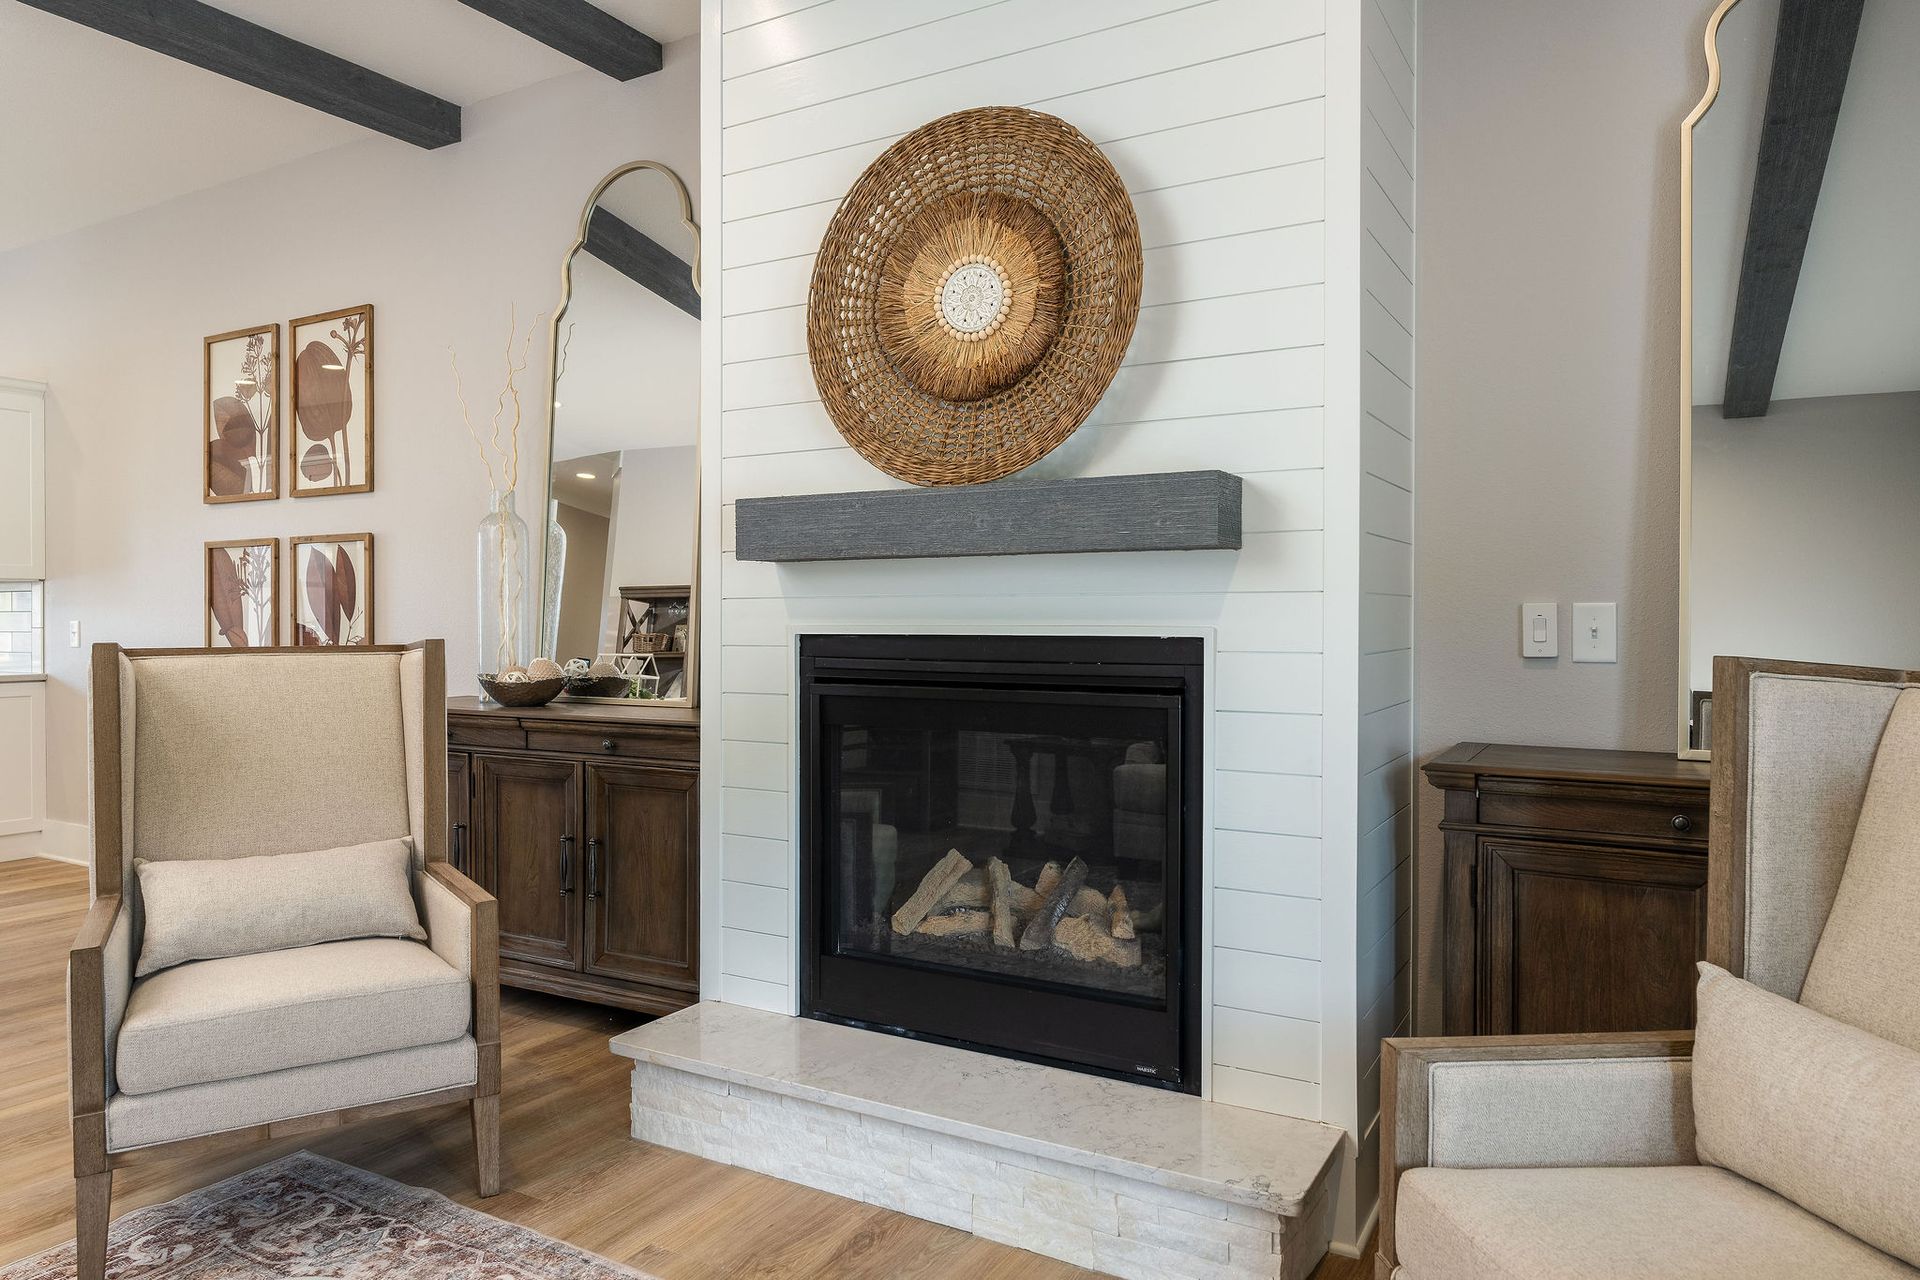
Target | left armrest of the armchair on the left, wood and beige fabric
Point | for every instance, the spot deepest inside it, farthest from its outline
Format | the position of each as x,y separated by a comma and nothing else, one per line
99,982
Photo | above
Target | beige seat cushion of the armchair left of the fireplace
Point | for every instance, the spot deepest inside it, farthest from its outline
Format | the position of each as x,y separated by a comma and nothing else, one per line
222,1020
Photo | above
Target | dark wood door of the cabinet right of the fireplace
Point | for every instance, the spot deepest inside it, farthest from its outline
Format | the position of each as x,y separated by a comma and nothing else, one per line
1581,939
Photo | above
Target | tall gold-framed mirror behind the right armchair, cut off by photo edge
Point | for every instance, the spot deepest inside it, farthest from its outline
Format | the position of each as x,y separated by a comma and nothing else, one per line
1804,412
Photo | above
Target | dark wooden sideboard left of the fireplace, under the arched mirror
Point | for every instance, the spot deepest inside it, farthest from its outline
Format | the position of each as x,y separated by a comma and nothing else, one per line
585,822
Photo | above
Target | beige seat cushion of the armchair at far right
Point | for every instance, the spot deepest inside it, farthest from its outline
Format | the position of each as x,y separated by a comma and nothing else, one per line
1660,1223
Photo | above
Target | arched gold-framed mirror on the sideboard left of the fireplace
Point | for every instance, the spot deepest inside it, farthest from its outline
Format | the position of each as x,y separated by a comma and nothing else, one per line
623,508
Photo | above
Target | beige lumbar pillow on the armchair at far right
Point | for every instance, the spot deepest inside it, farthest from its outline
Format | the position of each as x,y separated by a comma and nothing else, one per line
1821,1112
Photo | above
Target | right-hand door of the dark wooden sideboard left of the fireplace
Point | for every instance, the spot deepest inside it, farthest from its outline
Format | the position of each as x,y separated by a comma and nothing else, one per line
642,909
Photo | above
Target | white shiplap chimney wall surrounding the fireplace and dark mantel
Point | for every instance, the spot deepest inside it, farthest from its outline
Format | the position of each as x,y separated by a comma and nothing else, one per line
1218,122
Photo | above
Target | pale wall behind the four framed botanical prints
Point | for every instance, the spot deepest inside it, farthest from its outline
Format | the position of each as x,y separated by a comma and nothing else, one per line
441,243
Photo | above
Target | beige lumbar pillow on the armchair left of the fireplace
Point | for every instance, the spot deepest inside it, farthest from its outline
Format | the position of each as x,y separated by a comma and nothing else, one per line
239,907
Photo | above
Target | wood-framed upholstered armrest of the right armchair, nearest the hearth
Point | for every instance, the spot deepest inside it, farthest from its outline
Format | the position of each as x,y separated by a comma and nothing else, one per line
1531,1102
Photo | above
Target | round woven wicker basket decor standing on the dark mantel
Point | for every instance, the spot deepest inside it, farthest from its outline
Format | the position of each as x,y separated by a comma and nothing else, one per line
974,296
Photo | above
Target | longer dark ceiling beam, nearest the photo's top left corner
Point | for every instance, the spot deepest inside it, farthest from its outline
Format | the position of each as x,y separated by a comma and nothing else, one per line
252,55
